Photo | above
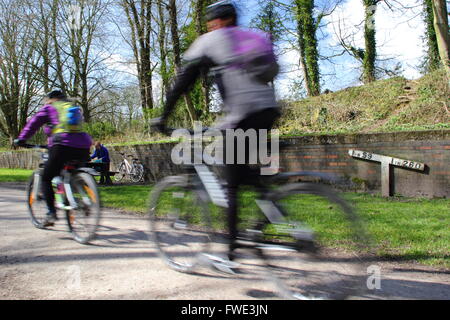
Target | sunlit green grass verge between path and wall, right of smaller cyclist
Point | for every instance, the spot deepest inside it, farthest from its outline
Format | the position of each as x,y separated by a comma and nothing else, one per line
404,229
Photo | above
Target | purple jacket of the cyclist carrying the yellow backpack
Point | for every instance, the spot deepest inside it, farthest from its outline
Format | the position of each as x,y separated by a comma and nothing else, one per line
49,115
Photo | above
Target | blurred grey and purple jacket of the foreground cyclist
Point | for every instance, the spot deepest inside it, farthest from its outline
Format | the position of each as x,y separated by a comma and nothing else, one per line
241,93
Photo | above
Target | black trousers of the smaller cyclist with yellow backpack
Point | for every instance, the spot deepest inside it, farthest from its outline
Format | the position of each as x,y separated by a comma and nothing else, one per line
59,155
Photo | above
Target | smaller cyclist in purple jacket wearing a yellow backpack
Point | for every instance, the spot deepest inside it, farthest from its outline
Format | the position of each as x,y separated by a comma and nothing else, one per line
66,141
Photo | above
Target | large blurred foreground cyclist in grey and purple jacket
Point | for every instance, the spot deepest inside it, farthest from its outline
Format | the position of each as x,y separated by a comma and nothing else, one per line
249,100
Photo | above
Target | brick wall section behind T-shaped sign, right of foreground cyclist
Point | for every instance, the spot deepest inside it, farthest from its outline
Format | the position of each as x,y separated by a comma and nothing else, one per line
330,155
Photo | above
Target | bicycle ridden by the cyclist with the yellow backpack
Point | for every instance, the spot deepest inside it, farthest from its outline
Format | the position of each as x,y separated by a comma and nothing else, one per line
77,195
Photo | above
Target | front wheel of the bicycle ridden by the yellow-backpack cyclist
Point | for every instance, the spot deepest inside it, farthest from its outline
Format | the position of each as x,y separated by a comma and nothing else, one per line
37,207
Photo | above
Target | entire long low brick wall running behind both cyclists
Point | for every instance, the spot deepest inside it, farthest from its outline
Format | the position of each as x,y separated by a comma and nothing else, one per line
328,154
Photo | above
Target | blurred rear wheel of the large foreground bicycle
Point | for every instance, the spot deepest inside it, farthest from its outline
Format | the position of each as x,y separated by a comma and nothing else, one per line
326,219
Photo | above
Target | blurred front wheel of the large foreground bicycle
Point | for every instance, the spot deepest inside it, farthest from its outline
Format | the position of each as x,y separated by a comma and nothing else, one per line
179,223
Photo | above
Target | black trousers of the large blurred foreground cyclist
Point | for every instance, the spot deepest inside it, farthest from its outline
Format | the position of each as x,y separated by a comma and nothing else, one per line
239,174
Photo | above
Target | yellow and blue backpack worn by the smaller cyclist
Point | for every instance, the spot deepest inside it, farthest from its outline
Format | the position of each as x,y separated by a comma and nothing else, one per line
70,118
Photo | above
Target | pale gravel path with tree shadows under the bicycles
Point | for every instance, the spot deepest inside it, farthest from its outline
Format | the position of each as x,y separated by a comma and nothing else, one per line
123,264
